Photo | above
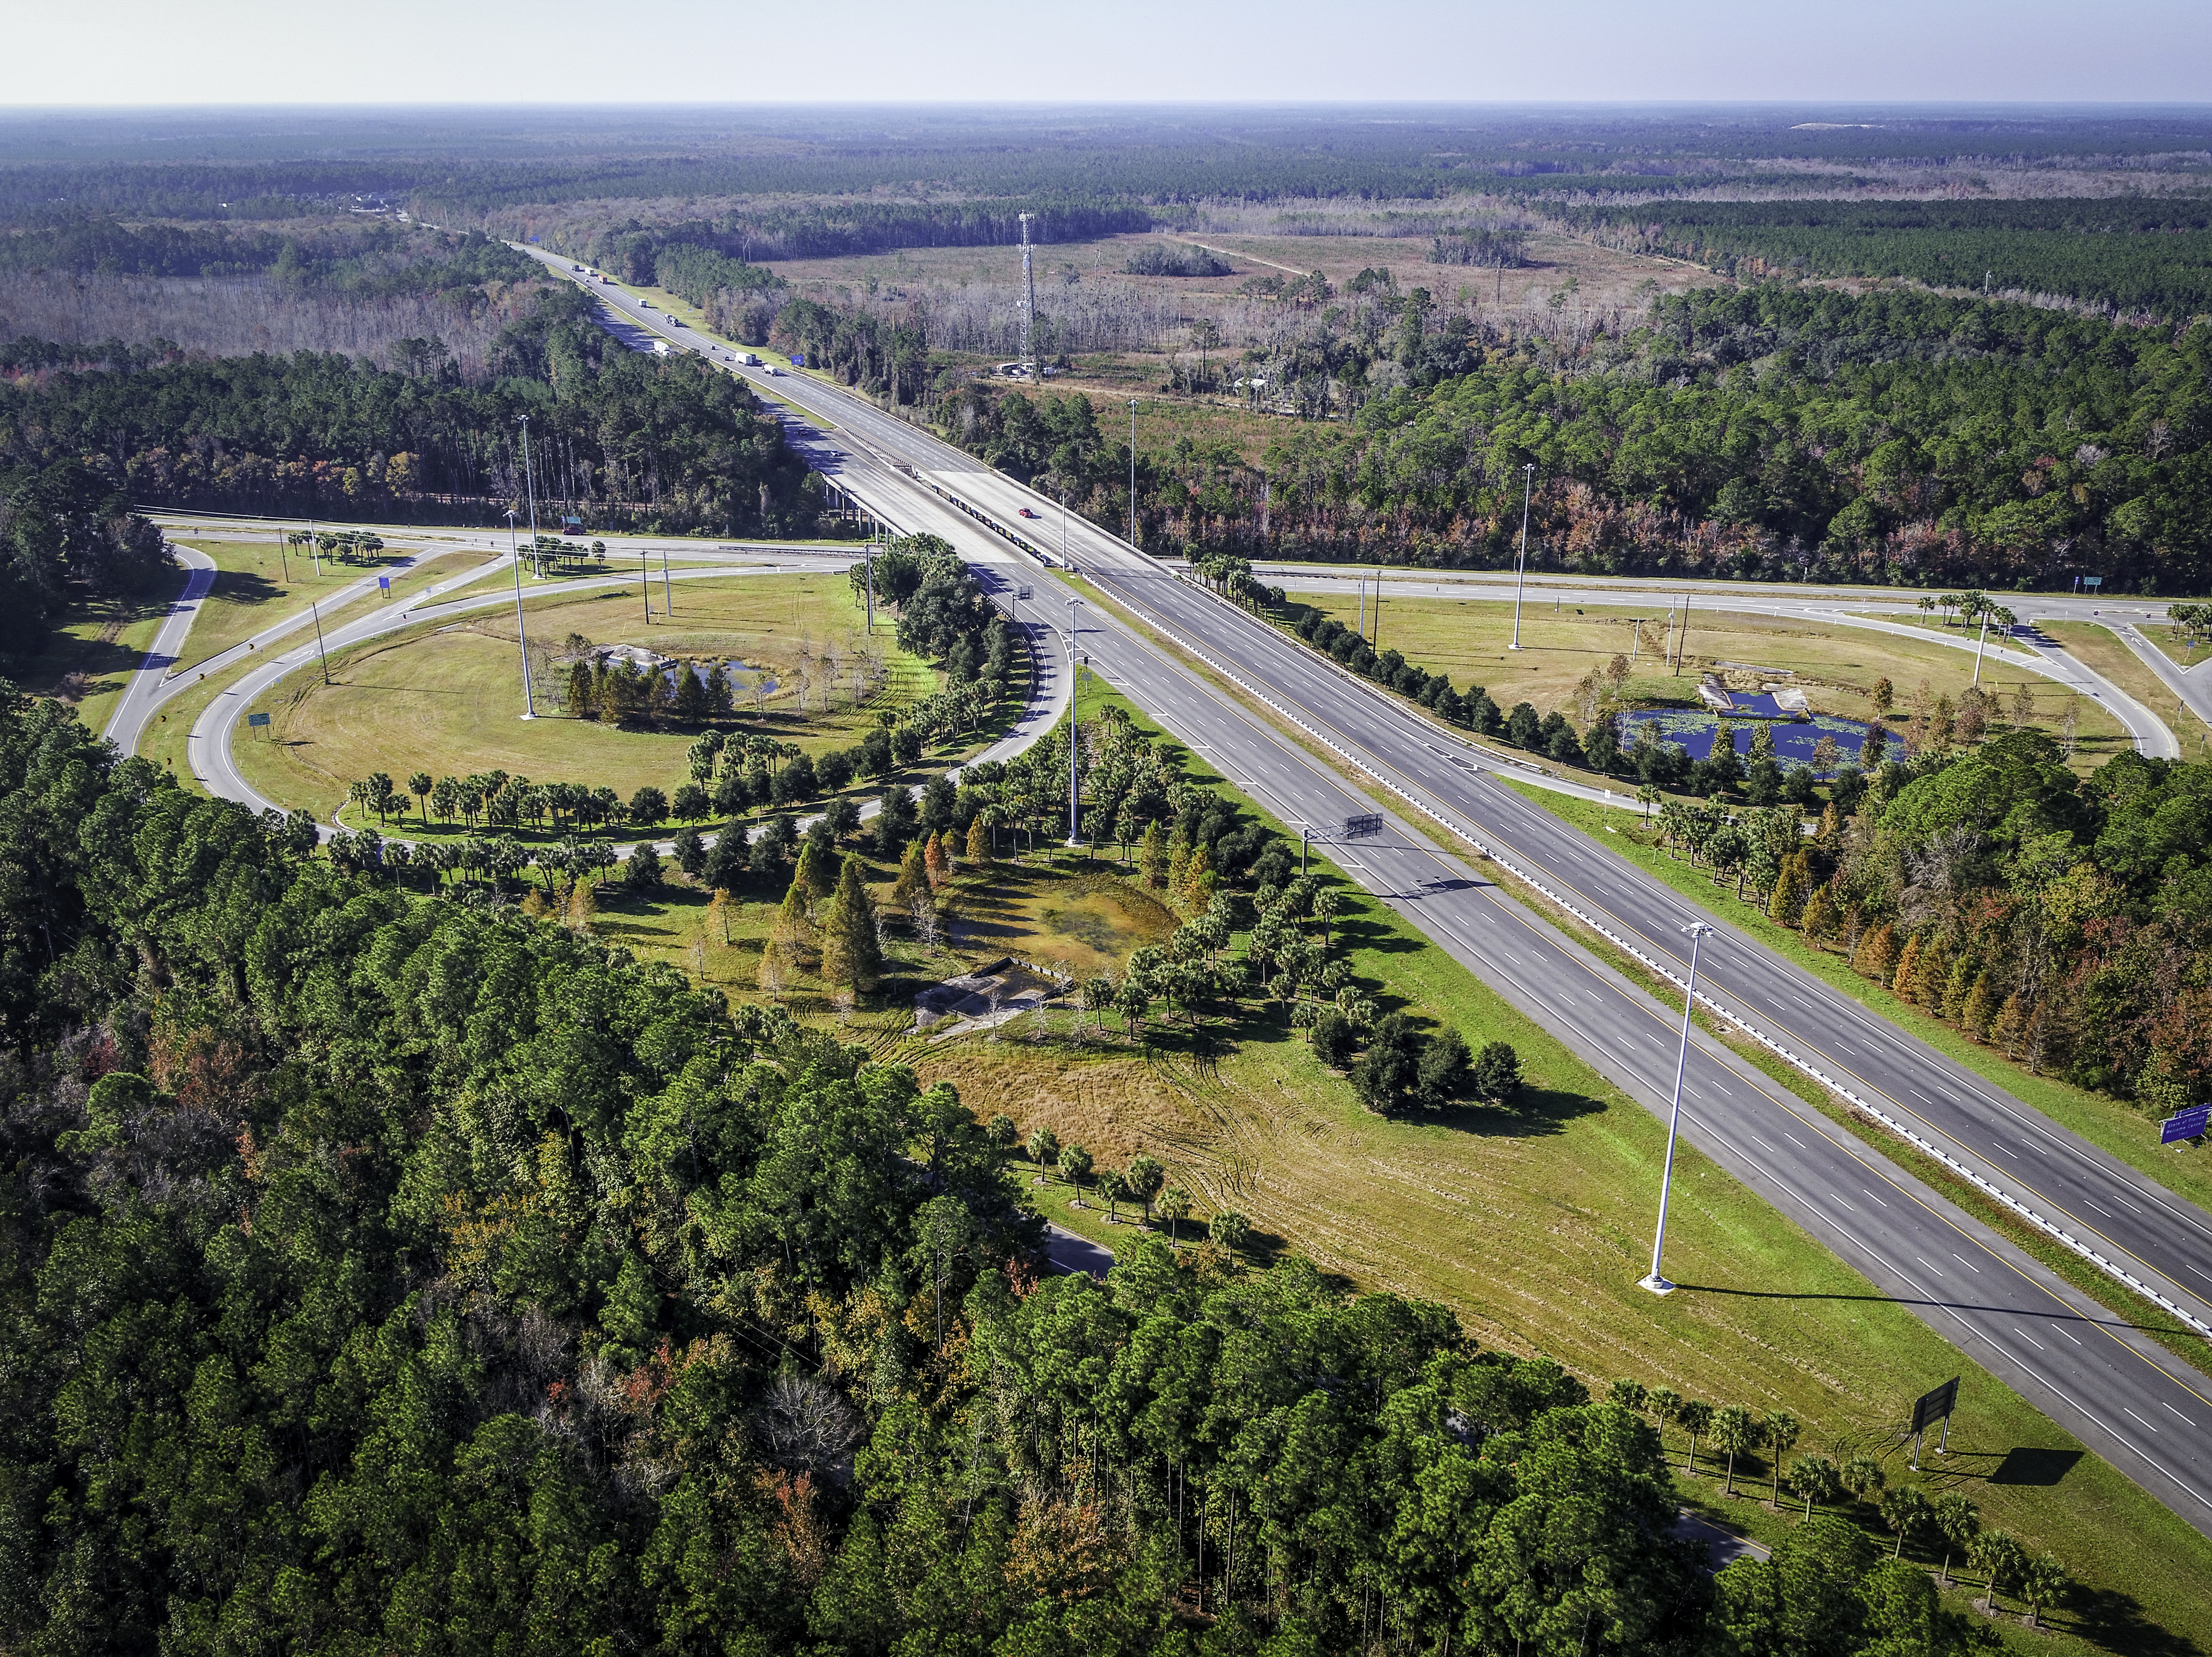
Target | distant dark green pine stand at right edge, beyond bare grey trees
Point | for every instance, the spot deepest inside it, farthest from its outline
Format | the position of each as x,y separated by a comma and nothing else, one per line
2129,253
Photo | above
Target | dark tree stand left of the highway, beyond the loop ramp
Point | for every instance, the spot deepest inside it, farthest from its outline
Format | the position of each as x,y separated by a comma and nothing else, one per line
618,437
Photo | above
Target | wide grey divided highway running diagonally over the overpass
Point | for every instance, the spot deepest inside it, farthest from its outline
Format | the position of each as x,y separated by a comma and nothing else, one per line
2118,1393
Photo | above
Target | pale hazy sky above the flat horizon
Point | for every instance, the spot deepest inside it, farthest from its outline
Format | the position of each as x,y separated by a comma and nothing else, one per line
966,52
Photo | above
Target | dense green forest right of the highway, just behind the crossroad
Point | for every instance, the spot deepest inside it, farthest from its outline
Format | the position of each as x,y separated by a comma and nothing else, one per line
1760,433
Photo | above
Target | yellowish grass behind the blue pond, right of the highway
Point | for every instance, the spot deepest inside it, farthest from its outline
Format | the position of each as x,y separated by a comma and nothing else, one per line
1839,665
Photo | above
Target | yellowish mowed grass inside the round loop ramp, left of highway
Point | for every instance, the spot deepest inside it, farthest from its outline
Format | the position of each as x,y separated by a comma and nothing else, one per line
448,700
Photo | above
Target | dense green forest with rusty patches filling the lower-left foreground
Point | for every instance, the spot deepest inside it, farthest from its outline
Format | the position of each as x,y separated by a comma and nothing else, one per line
386,1271
